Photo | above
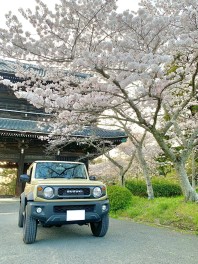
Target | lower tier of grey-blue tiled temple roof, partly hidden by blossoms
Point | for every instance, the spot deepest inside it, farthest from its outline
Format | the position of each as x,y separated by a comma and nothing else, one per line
36,128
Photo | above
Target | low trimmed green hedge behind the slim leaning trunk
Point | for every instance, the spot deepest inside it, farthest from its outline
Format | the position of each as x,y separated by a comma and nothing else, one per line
161,188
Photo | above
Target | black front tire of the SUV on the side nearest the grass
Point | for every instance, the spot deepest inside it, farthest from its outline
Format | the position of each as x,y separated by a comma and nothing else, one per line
99,229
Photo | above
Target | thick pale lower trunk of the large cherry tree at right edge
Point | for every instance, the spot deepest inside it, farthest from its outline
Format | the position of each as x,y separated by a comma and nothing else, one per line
189,193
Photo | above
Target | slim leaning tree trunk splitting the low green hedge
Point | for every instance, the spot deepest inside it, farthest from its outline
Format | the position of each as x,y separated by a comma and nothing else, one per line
145,173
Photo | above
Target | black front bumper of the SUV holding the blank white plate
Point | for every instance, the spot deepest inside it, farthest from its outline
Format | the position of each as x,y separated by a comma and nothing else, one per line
54,213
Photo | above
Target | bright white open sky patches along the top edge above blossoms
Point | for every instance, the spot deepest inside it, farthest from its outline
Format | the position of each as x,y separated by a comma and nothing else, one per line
14,5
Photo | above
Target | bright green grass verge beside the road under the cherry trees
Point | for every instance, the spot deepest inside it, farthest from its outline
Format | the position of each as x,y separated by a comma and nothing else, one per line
172,212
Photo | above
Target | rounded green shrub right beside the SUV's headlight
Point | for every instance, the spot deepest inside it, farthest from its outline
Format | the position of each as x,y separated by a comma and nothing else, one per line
119,197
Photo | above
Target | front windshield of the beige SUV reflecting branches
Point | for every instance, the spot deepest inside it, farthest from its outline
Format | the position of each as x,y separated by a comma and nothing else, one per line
46,170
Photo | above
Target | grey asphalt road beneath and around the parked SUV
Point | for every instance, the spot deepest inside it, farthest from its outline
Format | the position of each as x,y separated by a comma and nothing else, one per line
125,243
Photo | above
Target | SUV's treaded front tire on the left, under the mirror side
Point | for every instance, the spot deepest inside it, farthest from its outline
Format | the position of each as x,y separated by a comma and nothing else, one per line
29,228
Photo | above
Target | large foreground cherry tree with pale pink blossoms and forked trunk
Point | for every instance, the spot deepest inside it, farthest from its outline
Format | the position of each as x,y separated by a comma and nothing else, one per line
142,65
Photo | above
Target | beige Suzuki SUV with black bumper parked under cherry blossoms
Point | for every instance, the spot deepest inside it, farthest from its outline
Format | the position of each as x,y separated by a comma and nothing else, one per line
59,193
